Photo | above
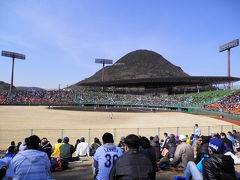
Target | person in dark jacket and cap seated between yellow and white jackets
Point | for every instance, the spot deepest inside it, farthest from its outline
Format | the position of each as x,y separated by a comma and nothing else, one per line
66,150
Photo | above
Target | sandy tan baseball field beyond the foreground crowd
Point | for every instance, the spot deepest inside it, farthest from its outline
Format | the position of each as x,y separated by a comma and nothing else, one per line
18,122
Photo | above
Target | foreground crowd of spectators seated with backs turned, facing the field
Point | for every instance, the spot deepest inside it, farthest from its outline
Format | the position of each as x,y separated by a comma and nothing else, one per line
134,157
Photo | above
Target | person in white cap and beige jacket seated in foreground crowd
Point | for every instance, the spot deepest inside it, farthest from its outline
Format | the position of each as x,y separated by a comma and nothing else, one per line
183,153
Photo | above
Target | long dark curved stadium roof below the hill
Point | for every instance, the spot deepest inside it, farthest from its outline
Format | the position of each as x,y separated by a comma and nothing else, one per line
164,81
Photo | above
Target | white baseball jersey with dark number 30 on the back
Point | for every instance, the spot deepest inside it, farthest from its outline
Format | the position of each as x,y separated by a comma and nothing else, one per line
106,155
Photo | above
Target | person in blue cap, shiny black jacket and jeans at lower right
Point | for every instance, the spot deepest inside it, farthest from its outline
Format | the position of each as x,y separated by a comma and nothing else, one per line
216,166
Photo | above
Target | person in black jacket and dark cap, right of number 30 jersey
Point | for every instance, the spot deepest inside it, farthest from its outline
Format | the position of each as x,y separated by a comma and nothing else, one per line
133,164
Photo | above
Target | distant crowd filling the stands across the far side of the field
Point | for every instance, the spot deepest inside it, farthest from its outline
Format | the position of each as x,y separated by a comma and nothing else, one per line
221,100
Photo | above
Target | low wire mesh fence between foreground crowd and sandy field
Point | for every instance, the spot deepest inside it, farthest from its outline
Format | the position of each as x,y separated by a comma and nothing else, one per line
8,135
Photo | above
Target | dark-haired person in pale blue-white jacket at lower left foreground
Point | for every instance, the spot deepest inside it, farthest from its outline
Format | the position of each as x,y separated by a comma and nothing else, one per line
31,163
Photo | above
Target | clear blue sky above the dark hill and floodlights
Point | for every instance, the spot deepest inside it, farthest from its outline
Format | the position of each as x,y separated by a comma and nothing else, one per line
62,38
